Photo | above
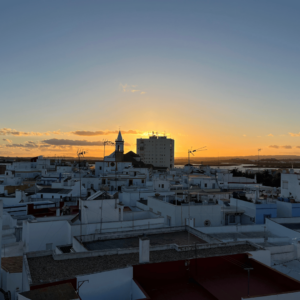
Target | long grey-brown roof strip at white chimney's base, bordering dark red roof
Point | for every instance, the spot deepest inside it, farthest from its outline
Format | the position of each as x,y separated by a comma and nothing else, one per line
44,269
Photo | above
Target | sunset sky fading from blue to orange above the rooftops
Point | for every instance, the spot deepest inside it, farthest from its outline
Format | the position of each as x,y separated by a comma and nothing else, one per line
221,74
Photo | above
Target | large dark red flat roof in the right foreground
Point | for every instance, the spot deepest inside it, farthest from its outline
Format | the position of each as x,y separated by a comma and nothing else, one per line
223,278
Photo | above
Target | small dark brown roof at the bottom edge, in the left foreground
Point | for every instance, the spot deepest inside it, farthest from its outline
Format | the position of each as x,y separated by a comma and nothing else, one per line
58,292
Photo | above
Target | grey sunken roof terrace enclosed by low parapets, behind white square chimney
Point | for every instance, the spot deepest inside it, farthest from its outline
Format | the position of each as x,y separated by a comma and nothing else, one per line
179,238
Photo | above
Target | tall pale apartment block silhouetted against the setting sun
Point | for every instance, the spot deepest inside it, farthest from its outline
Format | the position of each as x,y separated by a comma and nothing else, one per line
157,150
